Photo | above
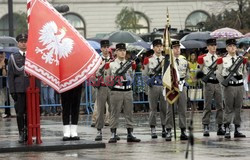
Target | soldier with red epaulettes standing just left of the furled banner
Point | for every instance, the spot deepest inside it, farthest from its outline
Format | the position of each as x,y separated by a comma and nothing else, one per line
152,69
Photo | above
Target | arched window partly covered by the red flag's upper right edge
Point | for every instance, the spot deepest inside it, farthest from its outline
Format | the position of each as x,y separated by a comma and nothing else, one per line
77,22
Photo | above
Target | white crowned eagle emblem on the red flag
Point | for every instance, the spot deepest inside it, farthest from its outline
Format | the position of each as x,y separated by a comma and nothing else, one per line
55,45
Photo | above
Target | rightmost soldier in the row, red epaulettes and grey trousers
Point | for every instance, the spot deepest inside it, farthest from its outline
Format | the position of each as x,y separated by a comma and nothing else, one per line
233,93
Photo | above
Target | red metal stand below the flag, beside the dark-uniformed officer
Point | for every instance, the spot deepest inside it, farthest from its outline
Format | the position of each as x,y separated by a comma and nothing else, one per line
33,112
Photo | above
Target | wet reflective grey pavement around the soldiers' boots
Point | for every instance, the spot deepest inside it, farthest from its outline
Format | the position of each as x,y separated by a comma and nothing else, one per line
211,148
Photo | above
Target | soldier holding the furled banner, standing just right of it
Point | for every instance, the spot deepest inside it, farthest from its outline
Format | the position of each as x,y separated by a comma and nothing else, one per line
181,103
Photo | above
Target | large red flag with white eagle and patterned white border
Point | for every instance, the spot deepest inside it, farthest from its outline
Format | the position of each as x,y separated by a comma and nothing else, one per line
56,53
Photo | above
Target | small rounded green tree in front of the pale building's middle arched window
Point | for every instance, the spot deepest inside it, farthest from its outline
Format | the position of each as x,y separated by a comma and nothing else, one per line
128,20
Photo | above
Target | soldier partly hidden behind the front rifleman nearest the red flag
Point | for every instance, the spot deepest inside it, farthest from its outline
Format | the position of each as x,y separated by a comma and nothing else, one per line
103,95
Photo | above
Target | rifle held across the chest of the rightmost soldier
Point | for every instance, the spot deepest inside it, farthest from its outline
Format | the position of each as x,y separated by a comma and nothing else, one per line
233,69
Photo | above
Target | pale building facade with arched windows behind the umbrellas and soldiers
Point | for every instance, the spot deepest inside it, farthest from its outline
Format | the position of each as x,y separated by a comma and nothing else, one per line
97,17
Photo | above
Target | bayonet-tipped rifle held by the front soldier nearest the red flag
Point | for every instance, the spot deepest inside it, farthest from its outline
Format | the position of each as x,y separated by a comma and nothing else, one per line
123,69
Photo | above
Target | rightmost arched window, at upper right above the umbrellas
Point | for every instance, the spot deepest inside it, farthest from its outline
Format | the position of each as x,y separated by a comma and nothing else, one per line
195,21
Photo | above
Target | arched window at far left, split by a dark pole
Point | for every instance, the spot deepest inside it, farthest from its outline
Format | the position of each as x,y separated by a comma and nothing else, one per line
19,23
